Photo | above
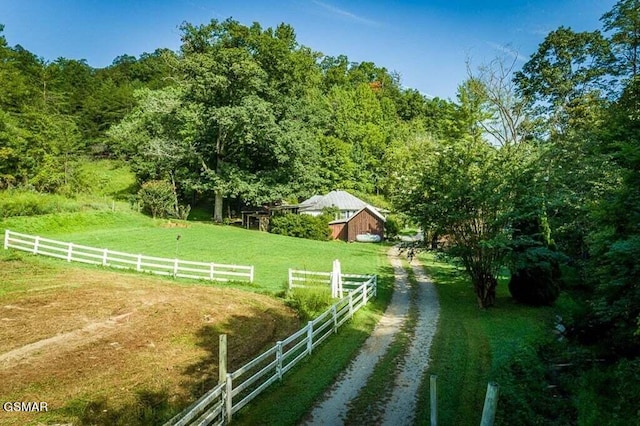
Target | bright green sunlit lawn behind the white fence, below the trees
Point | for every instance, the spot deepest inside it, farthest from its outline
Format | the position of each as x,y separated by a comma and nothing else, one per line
271,255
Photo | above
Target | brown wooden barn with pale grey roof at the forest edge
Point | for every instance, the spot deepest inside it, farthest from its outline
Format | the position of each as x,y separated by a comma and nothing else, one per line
355,216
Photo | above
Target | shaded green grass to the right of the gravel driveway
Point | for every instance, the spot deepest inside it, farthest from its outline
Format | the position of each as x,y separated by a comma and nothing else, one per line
471,345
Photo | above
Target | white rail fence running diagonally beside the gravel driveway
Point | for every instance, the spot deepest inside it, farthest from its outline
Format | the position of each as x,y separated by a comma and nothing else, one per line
220,404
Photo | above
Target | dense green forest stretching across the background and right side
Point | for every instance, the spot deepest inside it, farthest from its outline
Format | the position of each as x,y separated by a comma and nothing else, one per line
534,171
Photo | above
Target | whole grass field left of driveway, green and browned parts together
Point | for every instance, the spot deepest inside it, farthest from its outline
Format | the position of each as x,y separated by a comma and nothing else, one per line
109,347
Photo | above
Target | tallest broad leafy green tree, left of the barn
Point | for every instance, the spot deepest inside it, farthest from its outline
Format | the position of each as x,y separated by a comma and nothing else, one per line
228,127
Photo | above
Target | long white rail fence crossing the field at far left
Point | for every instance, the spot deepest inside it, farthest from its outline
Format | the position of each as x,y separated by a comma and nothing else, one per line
156,265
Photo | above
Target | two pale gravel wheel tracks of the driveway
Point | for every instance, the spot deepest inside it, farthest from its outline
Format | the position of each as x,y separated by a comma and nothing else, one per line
399,408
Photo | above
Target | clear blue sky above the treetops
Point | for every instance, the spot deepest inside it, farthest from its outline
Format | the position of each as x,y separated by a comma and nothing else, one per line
428,43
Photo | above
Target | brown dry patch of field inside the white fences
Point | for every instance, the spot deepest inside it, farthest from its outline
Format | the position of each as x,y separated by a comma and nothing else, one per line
95,344
